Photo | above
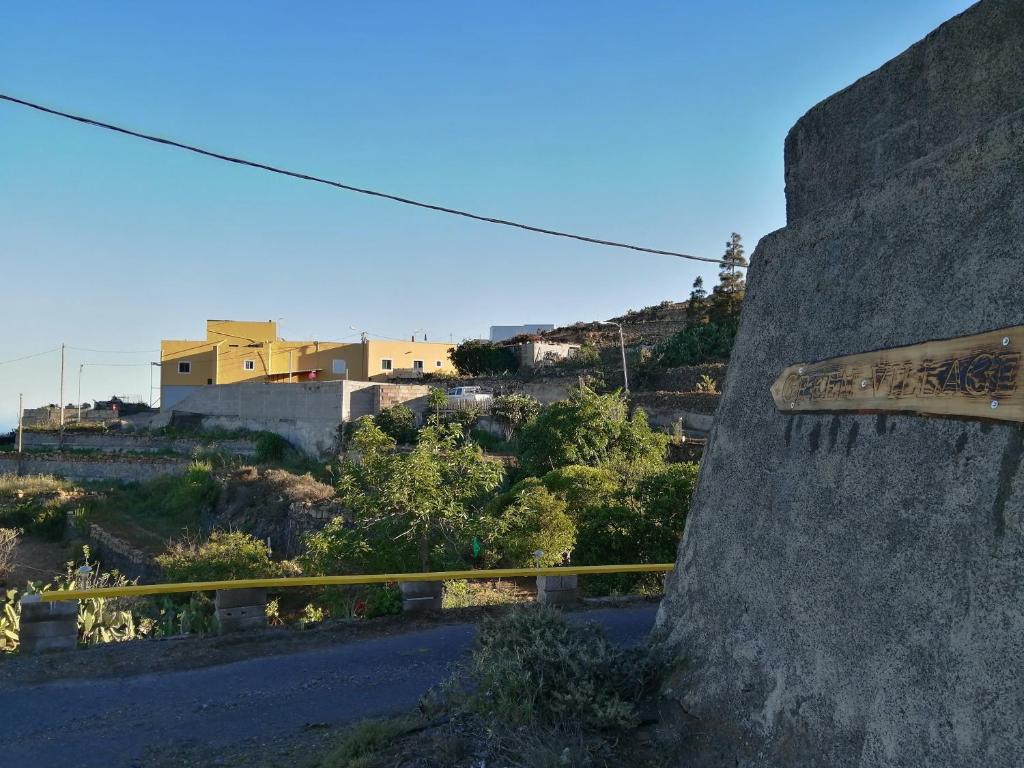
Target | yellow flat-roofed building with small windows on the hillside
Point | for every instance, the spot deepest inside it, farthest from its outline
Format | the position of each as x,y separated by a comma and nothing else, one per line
239,351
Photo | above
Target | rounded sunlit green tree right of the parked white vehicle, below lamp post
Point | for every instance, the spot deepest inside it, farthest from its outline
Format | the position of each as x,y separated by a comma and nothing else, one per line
590,430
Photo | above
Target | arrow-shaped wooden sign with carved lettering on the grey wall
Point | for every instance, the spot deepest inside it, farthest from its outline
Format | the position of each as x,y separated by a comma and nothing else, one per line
973,376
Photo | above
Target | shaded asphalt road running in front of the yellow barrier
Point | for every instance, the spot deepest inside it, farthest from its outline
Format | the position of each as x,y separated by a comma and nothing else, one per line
113,723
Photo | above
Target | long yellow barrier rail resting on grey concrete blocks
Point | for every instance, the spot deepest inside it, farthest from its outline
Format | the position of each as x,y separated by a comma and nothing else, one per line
442,576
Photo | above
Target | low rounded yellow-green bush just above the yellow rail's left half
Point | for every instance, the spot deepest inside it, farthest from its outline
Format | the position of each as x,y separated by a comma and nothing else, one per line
225,556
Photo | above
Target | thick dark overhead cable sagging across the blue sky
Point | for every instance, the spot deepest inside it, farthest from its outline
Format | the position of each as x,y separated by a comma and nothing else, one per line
351,188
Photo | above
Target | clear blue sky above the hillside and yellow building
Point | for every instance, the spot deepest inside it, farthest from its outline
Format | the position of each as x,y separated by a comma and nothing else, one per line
655,123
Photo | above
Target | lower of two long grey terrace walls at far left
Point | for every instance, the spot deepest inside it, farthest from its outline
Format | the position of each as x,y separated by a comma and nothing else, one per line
125,470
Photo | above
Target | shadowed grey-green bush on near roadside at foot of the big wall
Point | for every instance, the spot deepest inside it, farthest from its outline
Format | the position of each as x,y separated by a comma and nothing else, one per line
533,668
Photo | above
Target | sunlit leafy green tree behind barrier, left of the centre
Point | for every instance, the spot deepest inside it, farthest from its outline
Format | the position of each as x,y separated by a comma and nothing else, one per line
407,510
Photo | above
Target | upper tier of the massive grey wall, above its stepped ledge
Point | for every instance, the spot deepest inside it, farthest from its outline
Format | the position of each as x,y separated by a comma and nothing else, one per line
955,82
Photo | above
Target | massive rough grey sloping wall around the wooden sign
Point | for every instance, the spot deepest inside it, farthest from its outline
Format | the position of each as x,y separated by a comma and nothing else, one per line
850,589
